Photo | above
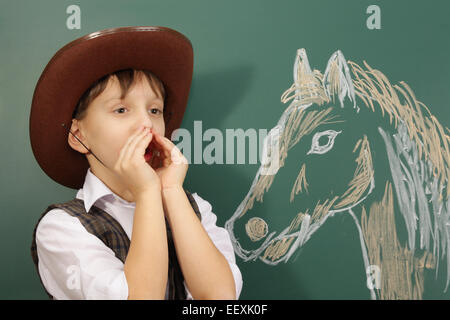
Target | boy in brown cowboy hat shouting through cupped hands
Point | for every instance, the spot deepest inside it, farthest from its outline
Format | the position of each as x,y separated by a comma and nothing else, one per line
132,232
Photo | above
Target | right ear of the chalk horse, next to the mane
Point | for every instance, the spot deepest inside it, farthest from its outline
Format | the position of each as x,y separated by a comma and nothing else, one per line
337,79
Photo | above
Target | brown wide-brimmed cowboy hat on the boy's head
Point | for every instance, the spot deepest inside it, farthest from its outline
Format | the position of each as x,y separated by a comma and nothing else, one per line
71,71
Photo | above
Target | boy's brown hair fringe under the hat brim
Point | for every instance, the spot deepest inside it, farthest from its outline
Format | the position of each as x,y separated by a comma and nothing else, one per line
126,78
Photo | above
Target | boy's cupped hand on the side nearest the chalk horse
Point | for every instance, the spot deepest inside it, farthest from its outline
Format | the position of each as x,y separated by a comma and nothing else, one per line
173,168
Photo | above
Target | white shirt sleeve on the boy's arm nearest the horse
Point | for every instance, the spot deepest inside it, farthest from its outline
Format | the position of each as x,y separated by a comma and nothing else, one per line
221,239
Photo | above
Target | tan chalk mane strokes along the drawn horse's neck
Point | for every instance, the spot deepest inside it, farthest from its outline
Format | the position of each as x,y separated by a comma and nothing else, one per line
423,128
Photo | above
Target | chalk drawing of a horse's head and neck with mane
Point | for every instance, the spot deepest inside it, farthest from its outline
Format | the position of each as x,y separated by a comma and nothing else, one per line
407,177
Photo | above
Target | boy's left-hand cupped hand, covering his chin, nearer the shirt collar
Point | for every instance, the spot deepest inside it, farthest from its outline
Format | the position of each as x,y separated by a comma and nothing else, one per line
131,166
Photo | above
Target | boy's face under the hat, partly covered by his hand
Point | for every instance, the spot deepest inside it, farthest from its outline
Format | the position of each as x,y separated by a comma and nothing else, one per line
110,121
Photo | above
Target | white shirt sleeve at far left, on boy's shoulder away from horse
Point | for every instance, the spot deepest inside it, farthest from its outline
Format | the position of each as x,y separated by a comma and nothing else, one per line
74,264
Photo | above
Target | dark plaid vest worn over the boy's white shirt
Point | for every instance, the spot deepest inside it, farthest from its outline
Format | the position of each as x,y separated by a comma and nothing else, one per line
110,232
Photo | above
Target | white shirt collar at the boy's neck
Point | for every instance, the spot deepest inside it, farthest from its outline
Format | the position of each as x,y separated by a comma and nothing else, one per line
94,189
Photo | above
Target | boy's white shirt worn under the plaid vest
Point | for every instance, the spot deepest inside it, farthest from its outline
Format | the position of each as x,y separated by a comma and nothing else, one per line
75,264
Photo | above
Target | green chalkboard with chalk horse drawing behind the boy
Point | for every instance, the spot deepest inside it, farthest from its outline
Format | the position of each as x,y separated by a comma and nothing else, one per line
356,205
